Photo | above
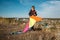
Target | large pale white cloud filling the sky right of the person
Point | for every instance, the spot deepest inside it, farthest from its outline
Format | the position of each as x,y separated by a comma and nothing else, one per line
50,9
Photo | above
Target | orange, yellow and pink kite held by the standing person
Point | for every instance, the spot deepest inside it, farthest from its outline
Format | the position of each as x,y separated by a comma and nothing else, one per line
32,21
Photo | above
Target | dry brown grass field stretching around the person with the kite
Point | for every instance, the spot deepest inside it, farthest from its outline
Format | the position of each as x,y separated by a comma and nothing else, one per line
52,32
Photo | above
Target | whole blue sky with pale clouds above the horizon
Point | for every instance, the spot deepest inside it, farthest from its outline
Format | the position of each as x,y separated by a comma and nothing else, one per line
21,8
